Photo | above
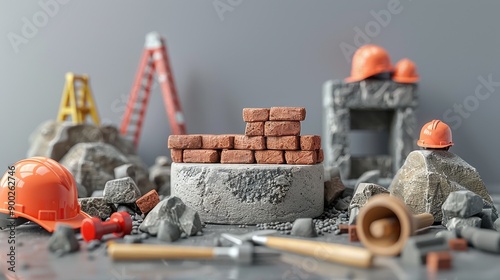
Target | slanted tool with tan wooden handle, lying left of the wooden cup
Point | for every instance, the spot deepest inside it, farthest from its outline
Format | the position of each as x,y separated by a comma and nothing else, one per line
344,254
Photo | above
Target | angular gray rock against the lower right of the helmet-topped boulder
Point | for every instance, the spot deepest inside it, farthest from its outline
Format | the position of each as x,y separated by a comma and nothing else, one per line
461,204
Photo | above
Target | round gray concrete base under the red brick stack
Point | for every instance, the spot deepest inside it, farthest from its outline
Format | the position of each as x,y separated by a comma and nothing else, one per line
249,193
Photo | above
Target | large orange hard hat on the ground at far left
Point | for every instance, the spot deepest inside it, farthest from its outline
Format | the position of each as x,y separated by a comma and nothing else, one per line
41,190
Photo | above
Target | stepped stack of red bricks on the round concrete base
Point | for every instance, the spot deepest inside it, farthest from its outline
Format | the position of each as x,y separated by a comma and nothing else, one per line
272,136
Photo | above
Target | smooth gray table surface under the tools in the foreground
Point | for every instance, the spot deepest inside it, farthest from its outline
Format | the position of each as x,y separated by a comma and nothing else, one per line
34,261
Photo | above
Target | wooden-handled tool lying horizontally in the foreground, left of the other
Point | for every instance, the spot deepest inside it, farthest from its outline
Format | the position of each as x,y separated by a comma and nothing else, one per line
243,254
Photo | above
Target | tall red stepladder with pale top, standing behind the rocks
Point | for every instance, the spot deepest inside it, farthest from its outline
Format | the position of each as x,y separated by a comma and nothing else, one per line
154,59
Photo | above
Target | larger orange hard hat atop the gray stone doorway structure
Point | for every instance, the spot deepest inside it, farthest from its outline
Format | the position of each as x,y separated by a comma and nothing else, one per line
369,60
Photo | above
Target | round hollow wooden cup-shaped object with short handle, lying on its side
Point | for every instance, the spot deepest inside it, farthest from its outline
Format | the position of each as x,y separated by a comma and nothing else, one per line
385,223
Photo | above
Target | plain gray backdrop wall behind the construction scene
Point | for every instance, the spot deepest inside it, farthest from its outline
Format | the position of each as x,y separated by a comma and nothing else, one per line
255,54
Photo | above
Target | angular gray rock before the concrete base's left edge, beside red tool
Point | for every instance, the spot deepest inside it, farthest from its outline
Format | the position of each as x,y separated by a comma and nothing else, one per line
176,212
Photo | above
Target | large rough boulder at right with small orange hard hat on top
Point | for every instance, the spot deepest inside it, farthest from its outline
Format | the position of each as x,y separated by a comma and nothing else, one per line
429,176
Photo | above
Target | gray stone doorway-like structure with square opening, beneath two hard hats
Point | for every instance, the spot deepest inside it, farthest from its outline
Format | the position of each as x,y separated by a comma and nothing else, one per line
380,105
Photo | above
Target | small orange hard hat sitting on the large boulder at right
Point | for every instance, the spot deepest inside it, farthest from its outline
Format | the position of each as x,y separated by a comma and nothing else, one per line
435,134
